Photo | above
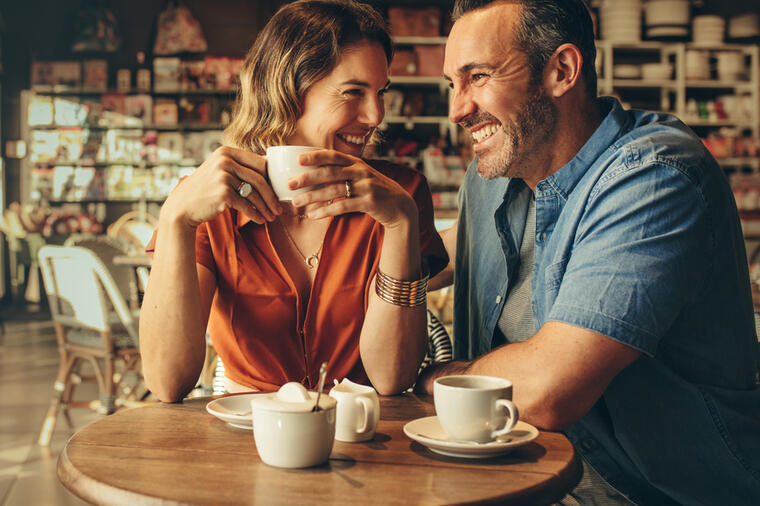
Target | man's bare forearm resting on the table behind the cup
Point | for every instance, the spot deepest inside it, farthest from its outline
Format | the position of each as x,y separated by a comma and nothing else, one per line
558,374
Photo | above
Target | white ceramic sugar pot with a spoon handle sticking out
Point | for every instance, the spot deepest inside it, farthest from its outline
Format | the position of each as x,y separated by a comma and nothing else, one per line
289,434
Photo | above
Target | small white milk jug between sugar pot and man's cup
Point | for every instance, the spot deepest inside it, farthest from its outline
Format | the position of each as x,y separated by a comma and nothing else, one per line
358,411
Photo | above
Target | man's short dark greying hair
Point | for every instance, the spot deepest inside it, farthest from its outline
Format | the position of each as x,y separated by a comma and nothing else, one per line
544,25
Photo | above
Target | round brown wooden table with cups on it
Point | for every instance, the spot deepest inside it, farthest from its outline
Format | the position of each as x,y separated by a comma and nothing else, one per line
180,454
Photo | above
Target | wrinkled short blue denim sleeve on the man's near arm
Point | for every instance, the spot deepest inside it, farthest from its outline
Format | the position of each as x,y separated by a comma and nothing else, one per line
639,255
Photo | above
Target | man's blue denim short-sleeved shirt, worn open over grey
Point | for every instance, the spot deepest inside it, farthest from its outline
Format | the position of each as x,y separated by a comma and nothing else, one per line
638,239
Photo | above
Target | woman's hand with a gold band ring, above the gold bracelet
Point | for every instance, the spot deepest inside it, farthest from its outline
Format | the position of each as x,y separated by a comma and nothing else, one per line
370,191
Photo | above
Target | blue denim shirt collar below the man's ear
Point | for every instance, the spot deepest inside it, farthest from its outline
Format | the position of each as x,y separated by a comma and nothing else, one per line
614,123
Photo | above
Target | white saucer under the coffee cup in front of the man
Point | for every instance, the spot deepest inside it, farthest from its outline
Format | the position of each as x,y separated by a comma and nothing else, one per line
428,432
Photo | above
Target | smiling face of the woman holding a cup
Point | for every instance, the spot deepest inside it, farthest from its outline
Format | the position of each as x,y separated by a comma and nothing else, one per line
343,109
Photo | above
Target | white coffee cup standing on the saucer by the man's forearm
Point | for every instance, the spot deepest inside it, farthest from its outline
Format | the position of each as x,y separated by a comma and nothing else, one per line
472,408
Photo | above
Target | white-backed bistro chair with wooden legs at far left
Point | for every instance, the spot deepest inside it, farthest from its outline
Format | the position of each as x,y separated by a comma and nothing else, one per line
93,324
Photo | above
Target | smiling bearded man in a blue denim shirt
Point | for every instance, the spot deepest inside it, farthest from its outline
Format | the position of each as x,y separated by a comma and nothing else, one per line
599,265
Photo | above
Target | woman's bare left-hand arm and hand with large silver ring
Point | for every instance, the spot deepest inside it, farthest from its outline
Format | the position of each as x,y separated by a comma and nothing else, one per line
178,298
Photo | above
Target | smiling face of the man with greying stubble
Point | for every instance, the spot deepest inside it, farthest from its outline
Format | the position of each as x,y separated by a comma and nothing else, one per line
508,114
